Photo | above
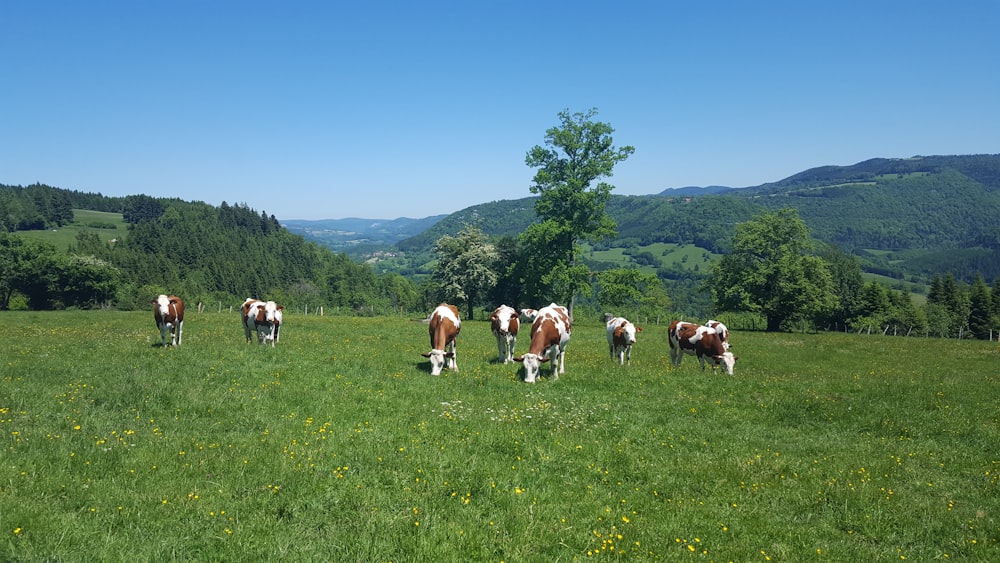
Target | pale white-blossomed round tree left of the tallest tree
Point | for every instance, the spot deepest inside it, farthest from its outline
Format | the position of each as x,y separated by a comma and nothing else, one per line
466,267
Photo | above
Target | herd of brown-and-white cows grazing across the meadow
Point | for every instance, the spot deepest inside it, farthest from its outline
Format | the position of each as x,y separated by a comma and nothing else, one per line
551,327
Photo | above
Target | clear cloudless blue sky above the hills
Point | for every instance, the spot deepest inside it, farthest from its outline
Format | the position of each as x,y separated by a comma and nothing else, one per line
385,109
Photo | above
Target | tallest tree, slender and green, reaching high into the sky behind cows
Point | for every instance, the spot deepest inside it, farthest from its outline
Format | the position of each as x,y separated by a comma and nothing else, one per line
577,154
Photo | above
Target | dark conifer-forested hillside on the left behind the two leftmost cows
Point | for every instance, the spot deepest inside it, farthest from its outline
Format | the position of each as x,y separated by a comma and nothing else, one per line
213,255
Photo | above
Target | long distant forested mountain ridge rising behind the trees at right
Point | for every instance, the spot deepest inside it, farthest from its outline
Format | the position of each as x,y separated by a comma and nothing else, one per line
904,218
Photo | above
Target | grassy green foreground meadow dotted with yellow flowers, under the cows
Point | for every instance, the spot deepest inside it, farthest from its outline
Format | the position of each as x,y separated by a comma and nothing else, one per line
337,445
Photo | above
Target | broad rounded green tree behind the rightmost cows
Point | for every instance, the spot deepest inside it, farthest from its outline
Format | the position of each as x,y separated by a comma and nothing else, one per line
771,272
